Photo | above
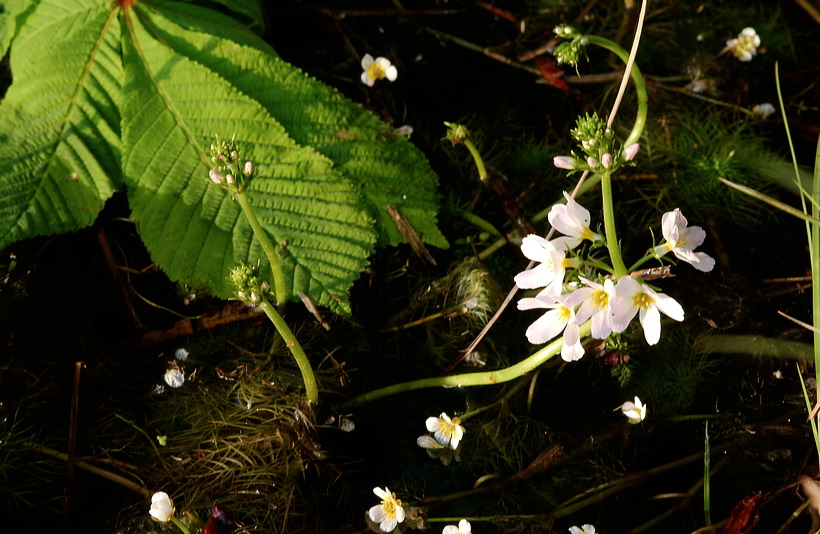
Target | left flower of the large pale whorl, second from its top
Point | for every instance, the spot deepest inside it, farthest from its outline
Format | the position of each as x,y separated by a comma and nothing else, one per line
549,273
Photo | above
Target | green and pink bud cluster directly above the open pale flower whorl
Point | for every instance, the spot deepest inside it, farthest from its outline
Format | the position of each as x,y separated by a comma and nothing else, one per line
598,146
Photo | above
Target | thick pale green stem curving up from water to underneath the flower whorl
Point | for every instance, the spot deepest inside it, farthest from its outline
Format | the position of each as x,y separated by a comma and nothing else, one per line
472,379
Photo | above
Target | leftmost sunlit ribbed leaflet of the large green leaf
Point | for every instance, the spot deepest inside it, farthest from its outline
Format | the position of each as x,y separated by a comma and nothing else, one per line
59,122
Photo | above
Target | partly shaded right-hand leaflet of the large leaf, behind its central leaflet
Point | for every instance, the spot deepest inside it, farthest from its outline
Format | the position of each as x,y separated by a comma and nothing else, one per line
388,170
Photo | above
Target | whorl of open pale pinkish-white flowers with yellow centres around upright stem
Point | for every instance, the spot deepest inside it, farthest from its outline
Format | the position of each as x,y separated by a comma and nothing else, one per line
571,299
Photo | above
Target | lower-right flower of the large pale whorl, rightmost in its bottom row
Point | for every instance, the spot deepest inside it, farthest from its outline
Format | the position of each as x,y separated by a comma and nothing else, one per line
631,297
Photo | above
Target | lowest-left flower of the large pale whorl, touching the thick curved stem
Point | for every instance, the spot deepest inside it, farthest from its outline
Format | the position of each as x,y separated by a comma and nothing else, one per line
558,318
